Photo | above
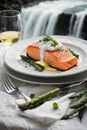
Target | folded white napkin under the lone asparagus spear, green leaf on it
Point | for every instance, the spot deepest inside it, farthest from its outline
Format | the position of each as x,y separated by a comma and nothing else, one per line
45,113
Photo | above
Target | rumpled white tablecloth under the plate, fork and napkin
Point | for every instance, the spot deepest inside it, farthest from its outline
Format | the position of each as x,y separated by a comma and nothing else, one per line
10,120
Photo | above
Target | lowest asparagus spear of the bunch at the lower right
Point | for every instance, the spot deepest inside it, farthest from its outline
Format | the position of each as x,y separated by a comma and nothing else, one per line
67,116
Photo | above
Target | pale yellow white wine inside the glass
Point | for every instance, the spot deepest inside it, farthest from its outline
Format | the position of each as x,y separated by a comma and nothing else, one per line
10,37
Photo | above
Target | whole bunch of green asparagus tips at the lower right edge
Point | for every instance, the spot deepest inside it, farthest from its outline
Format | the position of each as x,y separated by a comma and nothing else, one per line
79,104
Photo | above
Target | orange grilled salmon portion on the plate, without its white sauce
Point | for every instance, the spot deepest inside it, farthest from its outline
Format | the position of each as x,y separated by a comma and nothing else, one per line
61,59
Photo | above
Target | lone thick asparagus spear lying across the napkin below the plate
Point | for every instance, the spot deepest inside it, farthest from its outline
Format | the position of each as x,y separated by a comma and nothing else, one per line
39,100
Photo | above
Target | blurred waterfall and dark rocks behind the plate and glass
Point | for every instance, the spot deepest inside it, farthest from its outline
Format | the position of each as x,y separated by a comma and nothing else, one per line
53,17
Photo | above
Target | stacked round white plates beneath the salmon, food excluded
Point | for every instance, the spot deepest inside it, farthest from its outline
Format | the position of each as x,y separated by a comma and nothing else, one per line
17,68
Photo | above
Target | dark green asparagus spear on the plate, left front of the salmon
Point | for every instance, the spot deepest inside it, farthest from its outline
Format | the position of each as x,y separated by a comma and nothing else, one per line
33,63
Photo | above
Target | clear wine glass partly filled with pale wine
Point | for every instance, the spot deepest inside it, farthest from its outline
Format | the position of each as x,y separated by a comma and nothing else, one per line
10,26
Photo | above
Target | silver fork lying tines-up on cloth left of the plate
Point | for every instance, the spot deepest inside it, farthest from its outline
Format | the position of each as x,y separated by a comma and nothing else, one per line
9,86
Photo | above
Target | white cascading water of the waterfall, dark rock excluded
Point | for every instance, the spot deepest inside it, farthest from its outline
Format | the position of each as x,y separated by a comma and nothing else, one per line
41,19
